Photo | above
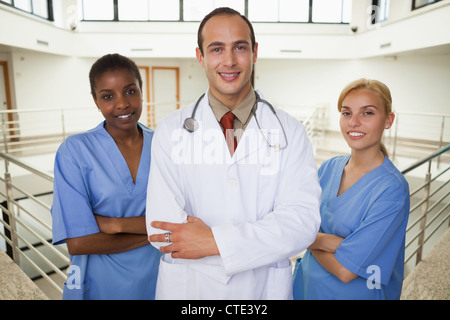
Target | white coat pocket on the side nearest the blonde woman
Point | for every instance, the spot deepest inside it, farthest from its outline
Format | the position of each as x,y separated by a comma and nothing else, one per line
279,285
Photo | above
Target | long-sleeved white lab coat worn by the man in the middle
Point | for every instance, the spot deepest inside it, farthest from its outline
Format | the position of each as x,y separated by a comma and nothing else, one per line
262,204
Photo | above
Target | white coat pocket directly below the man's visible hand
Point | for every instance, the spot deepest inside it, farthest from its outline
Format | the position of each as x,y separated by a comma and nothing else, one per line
172,281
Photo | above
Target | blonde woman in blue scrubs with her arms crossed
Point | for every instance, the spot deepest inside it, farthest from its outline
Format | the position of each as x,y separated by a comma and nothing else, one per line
359,250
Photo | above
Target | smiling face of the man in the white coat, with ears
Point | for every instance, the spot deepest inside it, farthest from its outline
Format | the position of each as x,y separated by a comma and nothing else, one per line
228,57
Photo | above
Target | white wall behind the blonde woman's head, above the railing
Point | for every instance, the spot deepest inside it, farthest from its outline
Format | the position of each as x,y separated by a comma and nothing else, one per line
418,83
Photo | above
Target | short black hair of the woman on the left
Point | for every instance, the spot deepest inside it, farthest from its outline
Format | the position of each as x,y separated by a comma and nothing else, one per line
111,62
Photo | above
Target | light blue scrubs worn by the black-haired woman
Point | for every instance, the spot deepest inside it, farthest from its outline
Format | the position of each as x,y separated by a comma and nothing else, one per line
91,176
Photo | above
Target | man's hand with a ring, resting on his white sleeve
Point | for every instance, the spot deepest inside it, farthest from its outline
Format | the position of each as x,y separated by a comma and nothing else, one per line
191,240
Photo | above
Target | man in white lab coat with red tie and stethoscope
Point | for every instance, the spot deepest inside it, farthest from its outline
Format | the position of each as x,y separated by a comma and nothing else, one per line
229,212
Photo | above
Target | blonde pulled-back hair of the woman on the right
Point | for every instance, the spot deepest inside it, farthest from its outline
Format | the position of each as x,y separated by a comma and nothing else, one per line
376,86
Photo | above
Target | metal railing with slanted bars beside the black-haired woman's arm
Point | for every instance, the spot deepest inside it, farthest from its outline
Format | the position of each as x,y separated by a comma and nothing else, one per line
27,231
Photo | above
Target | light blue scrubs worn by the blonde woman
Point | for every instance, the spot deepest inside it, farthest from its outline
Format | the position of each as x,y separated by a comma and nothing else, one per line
372,216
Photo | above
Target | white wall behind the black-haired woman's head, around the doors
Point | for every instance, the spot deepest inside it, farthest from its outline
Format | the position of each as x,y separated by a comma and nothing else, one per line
52,81
